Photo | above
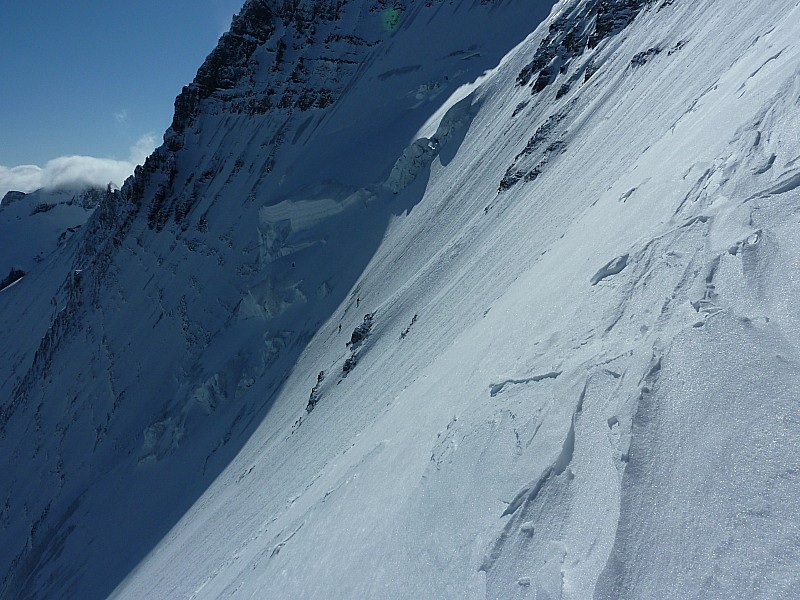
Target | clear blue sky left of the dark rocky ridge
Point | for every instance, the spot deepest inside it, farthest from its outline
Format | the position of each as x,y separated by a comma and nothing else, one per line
97,78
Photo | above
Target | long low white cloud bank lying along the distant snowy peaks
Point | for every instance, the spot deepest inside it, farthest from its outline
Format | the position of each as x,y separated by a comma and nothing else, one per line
76,172
